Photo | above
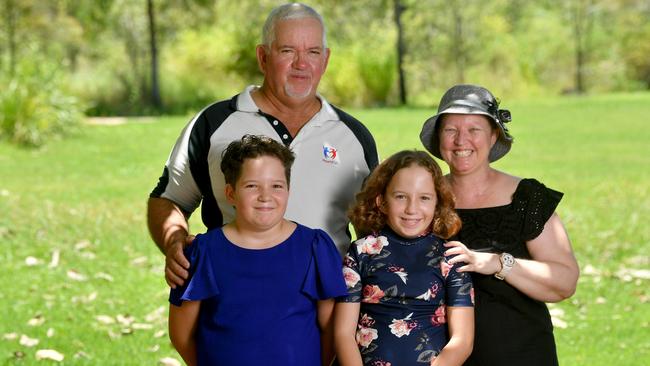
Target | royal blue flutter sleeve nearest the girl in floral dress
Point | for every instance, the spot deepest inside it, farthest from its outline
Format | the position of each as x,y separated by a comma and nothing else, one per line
324,278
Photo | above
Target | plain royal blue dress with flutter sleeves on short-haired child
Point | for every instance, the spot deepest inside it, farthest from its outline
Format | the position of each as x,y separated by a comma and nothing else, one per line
259,305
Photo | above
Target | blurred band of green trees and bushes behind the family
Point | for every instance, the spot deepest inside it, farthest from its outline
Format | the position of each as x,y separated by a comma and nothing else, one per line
67,58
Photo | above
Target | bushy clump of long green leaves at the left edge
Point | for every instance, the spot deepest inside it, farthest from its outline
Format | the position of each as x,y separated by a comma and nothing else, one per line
35,105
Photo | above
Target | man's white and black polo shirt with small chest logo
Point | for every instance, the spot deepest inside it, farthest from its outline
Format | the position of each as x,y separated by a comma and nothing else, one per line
334,154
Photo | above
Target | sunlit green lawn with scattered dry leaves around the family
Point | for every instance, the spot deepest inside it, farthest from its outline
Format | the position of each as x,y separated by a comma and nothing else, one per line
84,197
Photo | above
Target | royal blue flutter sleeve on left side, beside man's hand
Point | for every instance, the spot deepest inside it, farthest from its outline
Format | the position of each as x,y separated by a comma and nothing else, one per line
201,283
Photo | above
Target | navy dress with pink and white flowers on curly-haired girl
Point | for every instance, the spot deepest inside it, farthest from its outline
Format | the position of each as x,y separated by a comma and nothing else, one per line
404,286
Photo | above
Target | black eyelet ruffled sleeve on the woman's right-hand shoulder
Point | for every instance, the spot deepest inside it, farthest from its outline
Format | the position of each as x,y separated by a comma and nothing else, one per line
537,204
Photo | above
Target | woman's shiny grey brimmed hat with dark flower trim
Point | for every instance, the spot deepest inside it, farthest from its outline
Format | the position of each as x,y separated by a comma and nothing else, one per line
469,99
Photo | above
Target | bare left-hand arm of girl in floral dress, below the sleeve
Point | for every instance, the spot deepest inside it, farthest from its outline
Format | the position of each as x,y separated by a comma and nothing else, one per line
346,316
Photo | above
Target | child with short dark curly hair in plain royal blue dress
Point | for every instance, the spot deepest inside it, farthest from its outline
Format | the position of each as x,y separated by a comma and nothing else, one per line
261,288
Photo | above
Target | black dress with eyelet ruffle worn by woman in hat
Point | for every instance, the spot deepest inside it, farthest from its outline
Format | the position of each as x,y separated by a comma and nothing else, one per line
511,328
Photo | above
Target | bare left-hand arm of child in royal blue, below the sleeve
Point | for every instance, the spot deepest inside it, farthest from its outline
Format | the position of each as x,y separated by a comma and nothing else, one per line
182,329
